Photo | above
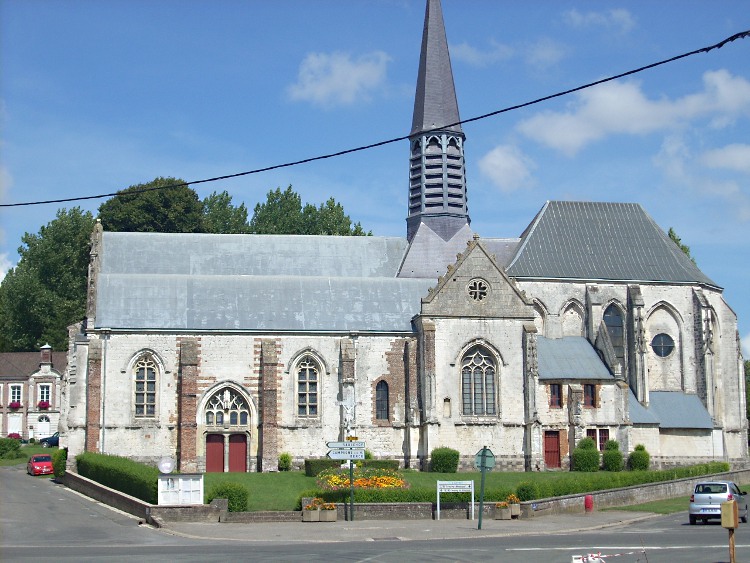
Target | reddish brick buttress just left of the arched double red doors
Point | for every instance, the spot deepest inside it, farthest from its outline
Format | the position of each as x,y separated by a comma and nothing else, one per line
187,403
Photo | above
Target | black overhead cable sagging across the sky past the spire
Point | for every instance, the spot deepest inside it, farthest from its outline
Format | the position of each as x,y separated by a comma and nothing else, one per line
740,35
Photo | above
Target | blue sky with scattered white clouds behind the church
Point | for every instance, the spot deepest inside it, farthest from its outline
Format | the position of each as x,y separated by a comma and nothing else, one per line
98,96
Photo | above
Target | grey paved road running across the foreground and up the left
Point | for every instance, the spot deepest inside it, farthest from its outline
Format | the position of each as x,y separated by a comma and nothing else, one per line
43,521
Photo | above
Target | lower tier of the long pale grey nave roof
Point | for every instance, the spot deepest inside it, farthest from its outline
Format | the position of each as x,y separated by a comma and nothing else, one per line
285,303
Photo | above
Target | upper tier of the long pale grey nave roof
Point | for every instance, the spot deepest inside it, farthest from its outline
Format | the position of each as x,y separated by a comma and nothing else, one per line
209,254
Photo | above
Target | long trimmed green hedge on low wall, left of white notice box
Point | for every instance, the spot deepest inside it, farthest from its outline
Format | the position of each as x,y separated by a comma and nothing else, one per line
122,474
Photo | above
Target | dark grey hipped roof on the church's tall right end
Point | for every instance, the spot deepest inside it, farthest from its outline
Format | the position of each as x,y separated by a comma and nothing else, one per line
600,241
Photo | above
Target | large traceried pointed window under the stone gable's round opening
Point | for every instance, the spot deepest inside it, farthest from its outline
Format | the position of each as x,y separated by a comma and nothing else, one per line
478,382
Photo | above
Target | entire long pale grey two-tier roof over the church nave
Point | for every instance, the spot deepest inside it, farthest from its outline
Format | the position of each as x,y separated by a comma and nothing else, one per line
255,282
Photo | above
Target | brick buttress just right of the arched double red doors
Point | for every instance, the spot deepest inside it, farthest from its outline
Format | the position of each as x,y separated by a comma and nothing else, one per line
268,429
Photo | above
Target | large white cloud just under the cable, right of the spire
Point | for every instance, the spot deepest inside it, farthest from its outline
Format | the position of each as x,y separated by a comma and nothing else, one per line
622,108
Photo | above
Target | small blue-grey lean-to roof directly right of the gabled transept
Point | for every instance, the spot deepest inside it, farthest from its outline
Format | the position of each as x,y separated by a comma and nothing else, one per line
571,357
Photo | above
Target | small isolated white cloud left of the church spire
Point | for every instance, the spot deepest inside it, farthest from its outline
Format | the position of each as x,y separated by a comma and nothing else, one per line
331,79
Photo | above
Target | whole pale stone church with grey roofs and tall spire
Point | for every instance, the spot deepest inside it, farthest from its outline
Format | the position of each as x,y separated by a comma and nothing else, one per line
225,351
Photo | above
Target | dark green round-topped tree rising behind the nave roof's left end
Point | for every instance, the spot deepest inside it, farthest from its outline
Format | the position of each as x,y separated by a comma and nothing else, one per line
154,207
